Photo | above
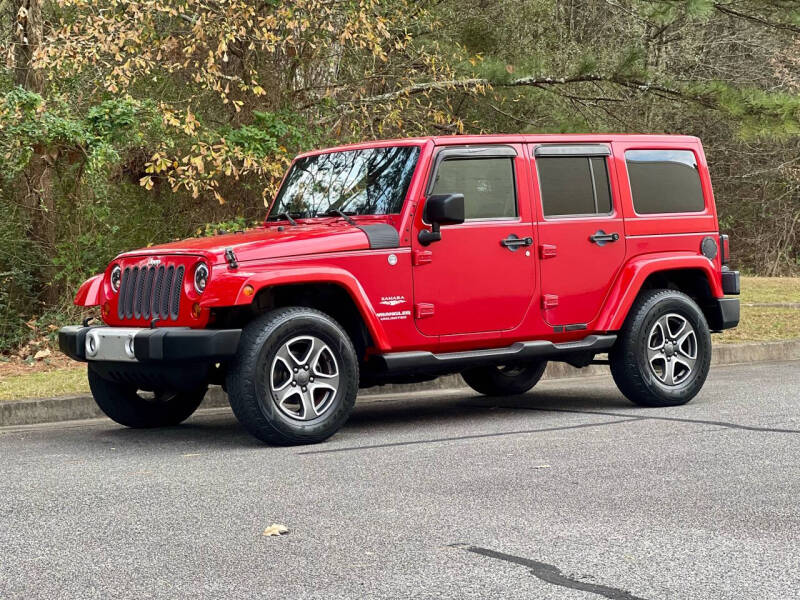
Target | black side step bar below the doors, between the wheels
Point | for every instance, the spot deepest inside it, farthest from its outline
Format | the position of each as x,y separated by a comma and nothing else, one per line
520,352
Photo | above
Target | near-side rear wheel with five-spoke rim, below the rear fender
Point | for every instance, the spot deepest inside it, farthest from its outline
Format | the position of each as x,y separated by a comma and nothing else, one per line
663,353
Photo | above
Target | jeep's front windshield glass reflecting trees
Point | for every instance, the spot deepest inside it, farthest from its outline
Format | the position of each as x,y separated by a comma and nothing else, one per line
373,181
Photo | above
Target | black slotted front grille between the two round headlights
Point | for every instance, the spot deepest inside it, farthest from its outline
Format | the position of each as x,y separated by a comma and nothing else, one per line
151,292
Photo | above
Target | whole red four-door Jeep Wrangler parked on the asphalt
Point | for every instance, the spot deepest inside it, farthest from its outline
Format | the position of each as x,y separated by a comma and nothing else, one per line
402,260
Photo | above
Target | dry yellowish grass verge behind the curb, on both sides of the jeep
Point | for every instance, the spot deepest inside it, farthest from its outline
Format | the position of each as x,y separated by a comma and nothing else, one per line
758,324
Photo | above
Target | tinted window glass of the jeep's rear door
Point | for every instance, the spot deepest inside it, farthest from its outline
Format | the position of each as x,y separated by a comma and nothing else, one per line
574,185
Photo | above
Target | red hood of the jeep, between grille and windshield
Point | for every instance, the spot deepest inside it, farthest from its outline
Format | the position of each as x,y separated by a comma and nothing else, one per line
265,242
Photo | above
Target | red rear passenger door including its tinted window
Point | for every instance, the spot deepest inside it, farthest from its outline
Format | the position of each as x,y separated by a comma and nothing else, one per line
581,240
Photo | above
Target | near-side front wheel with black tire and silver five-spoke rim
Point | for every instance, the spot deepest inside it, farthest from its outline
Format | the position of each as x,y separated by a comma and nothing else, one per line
295,377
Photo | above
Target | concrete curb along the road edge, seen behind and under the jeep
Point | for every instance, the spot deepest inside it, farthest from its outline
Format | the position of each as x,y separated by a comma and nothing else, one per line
73,408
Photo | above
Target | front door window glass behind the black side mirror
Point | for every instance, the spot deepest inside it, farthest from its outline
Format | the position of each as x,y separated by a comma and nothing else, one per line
487,185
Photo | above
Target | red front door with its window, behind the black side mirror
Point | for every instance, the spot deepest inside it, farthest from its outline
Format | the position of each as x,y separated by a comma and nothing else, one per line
480,276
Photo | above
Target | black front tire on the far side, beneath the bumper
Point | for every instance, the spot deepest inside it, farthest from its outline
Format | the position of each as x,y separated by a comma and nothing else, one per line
127,406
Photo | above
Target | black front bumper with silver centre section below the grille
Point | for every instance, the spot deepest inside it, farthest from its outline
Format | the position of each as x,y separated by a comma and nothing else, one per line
141,345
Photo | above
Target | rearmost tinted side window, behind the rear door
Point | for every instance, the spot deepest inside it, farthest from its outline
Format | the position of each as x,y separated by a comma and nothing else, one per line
664,181
